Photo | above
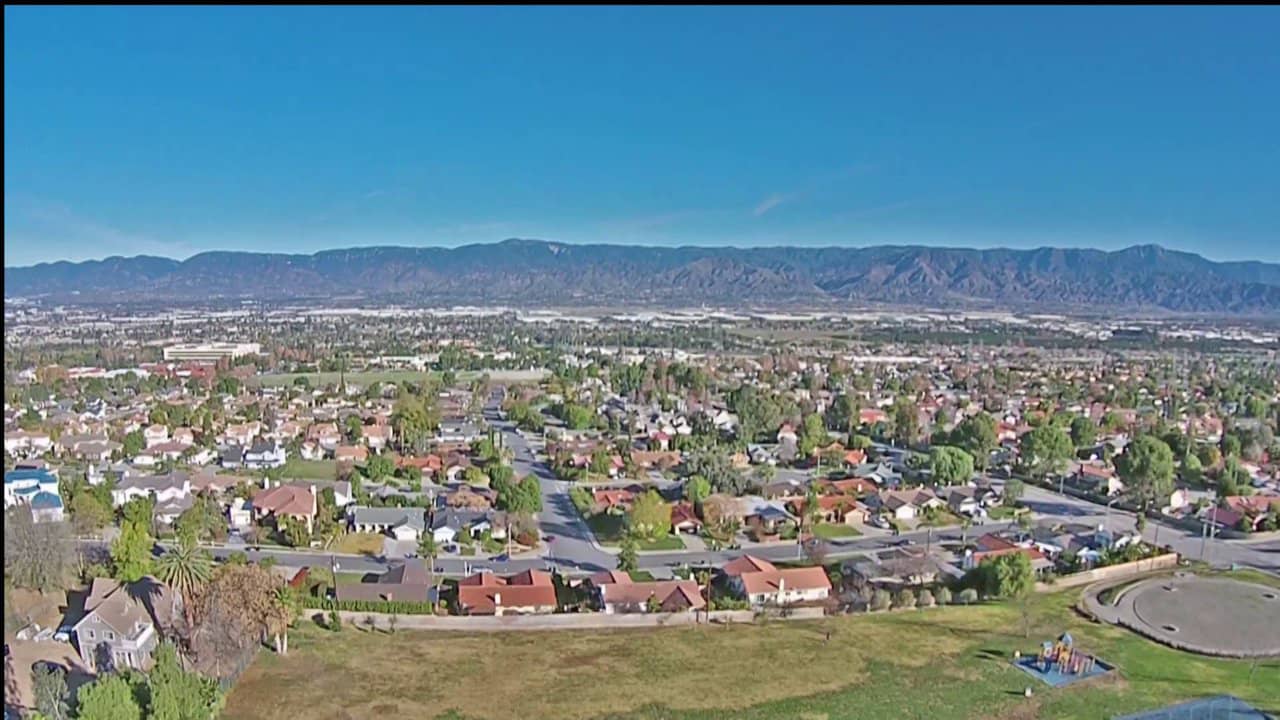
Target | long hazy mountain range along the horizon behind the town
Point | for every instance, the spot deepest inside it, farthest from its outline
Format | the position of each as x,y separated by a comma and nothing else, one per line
533,272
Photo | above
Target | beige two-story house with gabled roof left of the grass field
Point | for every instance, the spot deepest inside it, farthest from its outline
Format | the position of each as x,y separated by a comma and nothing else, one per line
121,627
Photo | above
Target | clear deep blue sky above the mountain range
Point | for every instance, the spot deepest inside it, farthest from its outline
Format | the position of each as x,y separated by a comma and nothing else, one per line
175,131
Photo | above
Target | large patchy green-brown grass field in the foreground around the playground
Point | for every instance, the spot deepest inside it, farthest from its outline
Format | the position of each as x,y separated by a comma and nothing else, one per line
947,663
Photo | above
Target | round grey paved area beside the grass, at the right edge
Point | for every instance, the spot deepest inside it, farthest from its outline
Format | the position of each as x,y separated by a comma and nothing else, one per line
1209,616
